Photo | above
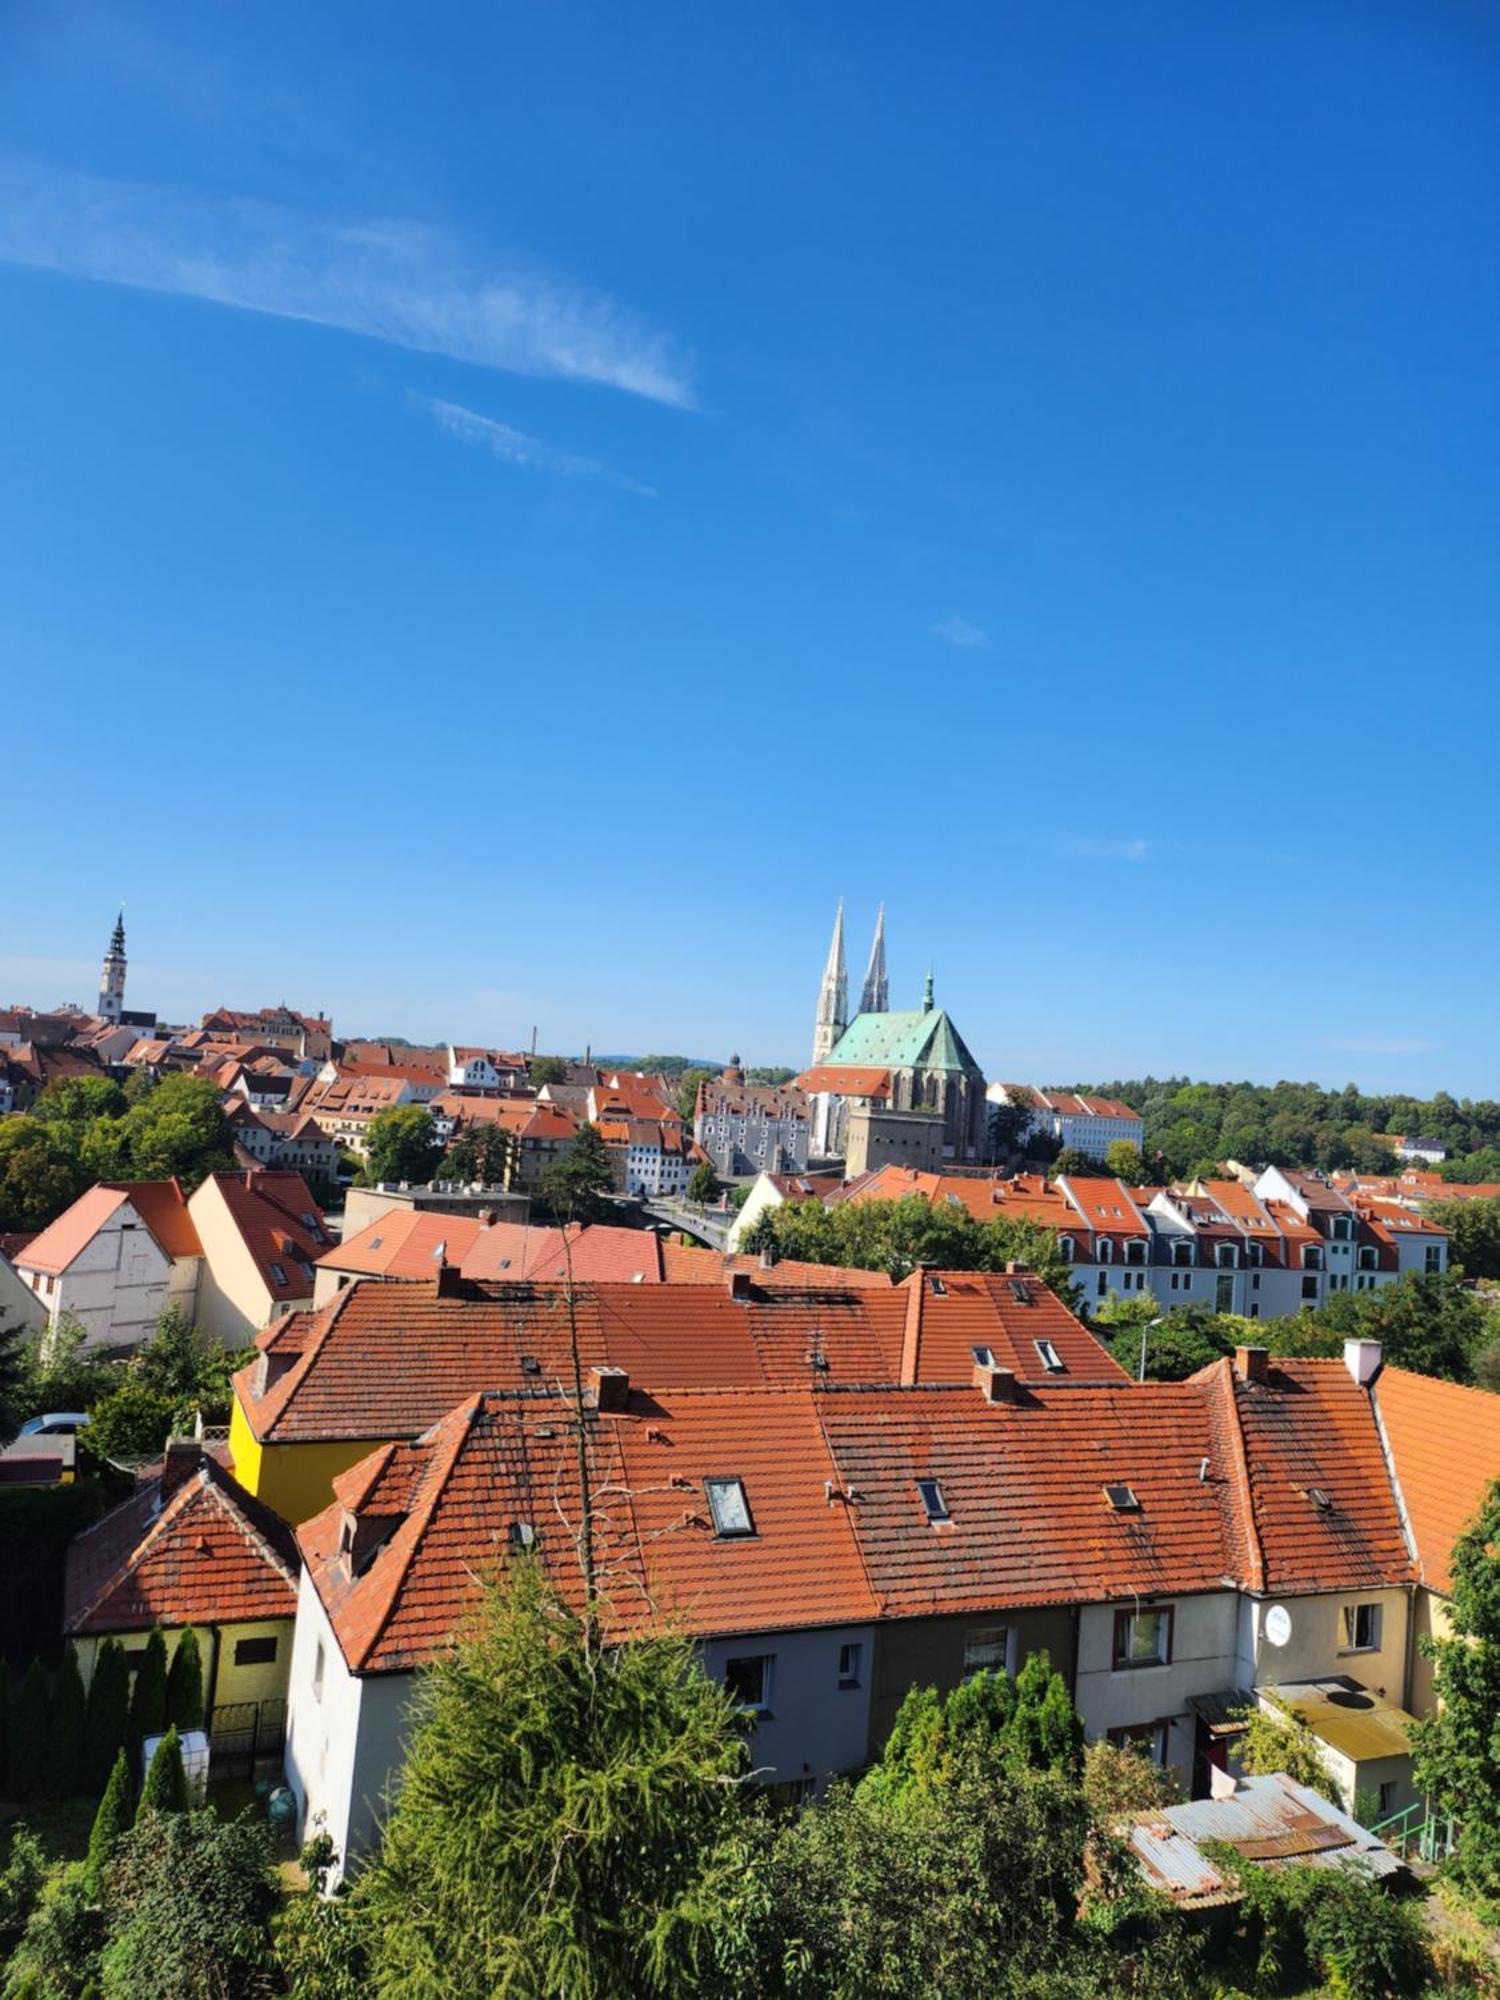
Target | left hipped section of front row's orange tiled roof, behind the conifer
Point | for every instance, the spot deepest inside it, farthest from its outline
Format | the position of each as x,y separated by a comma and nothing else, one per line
509,1459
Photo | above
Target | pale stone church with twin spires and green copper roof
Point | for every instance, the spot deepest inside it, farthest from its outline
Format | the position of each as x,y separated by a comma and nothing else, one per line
889,1087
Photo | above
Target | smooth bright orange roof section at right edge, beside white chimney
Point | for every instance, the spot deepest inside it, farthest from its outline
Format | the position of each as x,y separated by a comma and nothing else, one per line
1445,1441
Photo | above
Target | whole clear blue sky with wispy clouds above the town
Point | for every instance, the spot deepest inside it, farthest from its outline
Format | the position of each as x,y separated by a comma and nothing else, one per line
507,513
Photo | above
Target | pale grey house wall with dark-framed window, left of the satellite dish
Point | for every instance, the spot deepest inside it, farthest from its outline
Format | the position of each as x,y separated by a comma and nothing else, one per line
1203,1661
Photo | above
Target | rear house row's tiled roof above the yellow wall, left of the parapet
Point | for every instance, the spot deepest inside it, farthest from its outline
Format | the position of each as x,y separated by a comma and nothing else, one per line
387,1361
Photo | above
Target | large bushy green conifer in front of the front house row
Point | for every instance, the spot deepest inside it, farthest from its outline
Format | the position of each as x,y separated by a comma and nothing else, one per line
569,1817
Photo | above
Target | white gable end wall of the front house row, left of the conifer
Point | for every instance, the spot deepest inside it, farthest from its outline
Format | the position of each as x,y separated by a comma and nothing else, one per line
345,1735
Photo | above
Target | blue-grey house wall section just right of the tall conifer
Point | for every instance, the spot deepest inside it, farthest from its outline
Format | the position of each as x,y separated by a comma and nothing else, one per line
815,1725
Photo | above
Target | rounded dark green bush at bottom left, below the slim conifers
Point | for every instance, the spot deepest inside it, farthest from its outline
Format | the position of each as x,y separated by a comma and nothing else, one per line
189,1905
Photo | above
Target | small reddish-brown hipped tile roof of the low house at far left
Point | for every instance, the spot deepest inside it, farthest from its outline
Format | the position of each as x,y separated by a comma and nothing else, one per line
209,1555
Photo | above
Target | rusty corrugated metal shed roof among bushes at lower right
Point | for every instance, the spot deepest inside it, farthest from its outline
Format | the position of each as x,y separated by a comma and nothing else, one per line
1269,1821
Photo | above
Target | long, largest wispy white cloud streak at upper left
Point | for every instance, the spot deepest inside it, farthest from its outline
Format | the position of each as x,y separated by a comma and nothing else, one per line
401,283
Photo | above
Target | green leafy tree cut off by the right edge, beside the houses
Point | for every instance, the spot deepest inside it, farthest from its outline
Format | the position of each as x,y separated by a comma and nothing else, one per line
1459,1745
